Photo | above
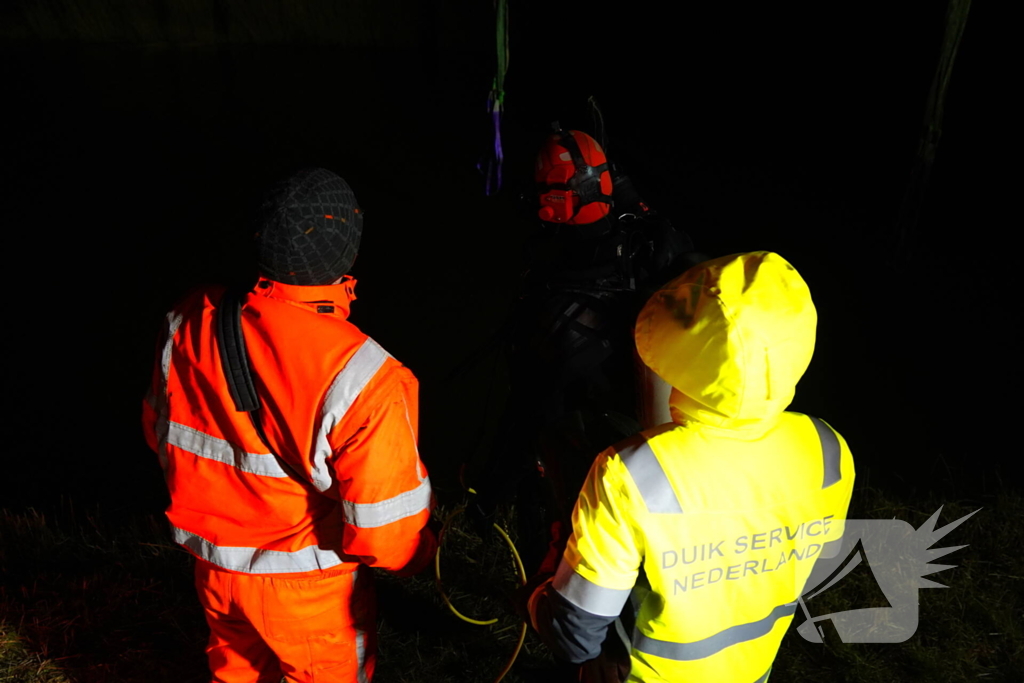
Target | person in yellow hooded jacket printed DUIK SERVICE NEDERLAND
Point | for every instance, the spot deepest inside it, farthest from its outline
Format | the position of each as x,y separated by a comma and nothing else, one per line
713,523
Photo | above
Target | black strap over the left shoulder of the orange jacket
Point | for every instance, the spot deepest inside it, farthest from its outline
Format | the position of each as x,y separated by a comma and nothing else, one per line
235,361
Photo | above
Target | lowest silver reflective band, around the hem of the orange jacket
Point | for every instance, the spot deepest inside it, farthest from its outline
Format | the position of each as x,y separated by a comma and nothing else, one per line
258,561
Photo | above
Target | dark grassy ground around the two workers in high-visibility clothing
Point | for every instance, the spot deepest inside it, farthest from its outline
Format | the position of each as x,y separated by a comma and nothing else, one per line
95,600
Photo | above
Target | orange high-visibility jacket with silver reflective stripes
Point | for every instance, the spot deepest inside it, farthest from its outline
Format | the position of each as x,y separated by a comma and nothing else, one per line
336,408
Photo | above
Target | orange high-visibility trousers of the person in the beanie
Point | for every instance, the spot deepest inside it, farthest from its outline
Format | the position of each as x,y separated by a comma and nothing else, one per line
308,628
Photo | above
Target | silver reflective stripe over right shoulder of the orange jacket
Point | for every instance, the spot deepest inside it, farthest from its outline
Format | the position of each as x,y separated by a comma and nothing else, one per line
344,393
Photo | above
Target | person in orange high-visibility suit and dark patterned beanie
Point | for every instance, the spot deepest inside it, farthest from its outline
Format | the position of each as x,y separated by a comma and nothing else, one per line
286,507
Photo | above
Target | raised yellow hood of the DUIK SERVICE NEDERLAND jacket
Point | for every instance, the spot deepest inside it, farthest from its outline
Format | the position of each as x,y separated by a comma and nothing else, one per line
733,336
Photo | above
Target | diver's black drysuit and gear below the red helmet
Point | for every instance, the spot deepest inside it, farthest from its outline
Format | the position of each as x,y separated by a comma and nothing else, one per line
572,361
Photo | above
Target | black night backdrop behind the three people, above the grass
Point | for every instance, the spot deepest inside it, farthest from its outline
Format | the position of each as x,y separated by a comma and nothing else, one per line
136,144
